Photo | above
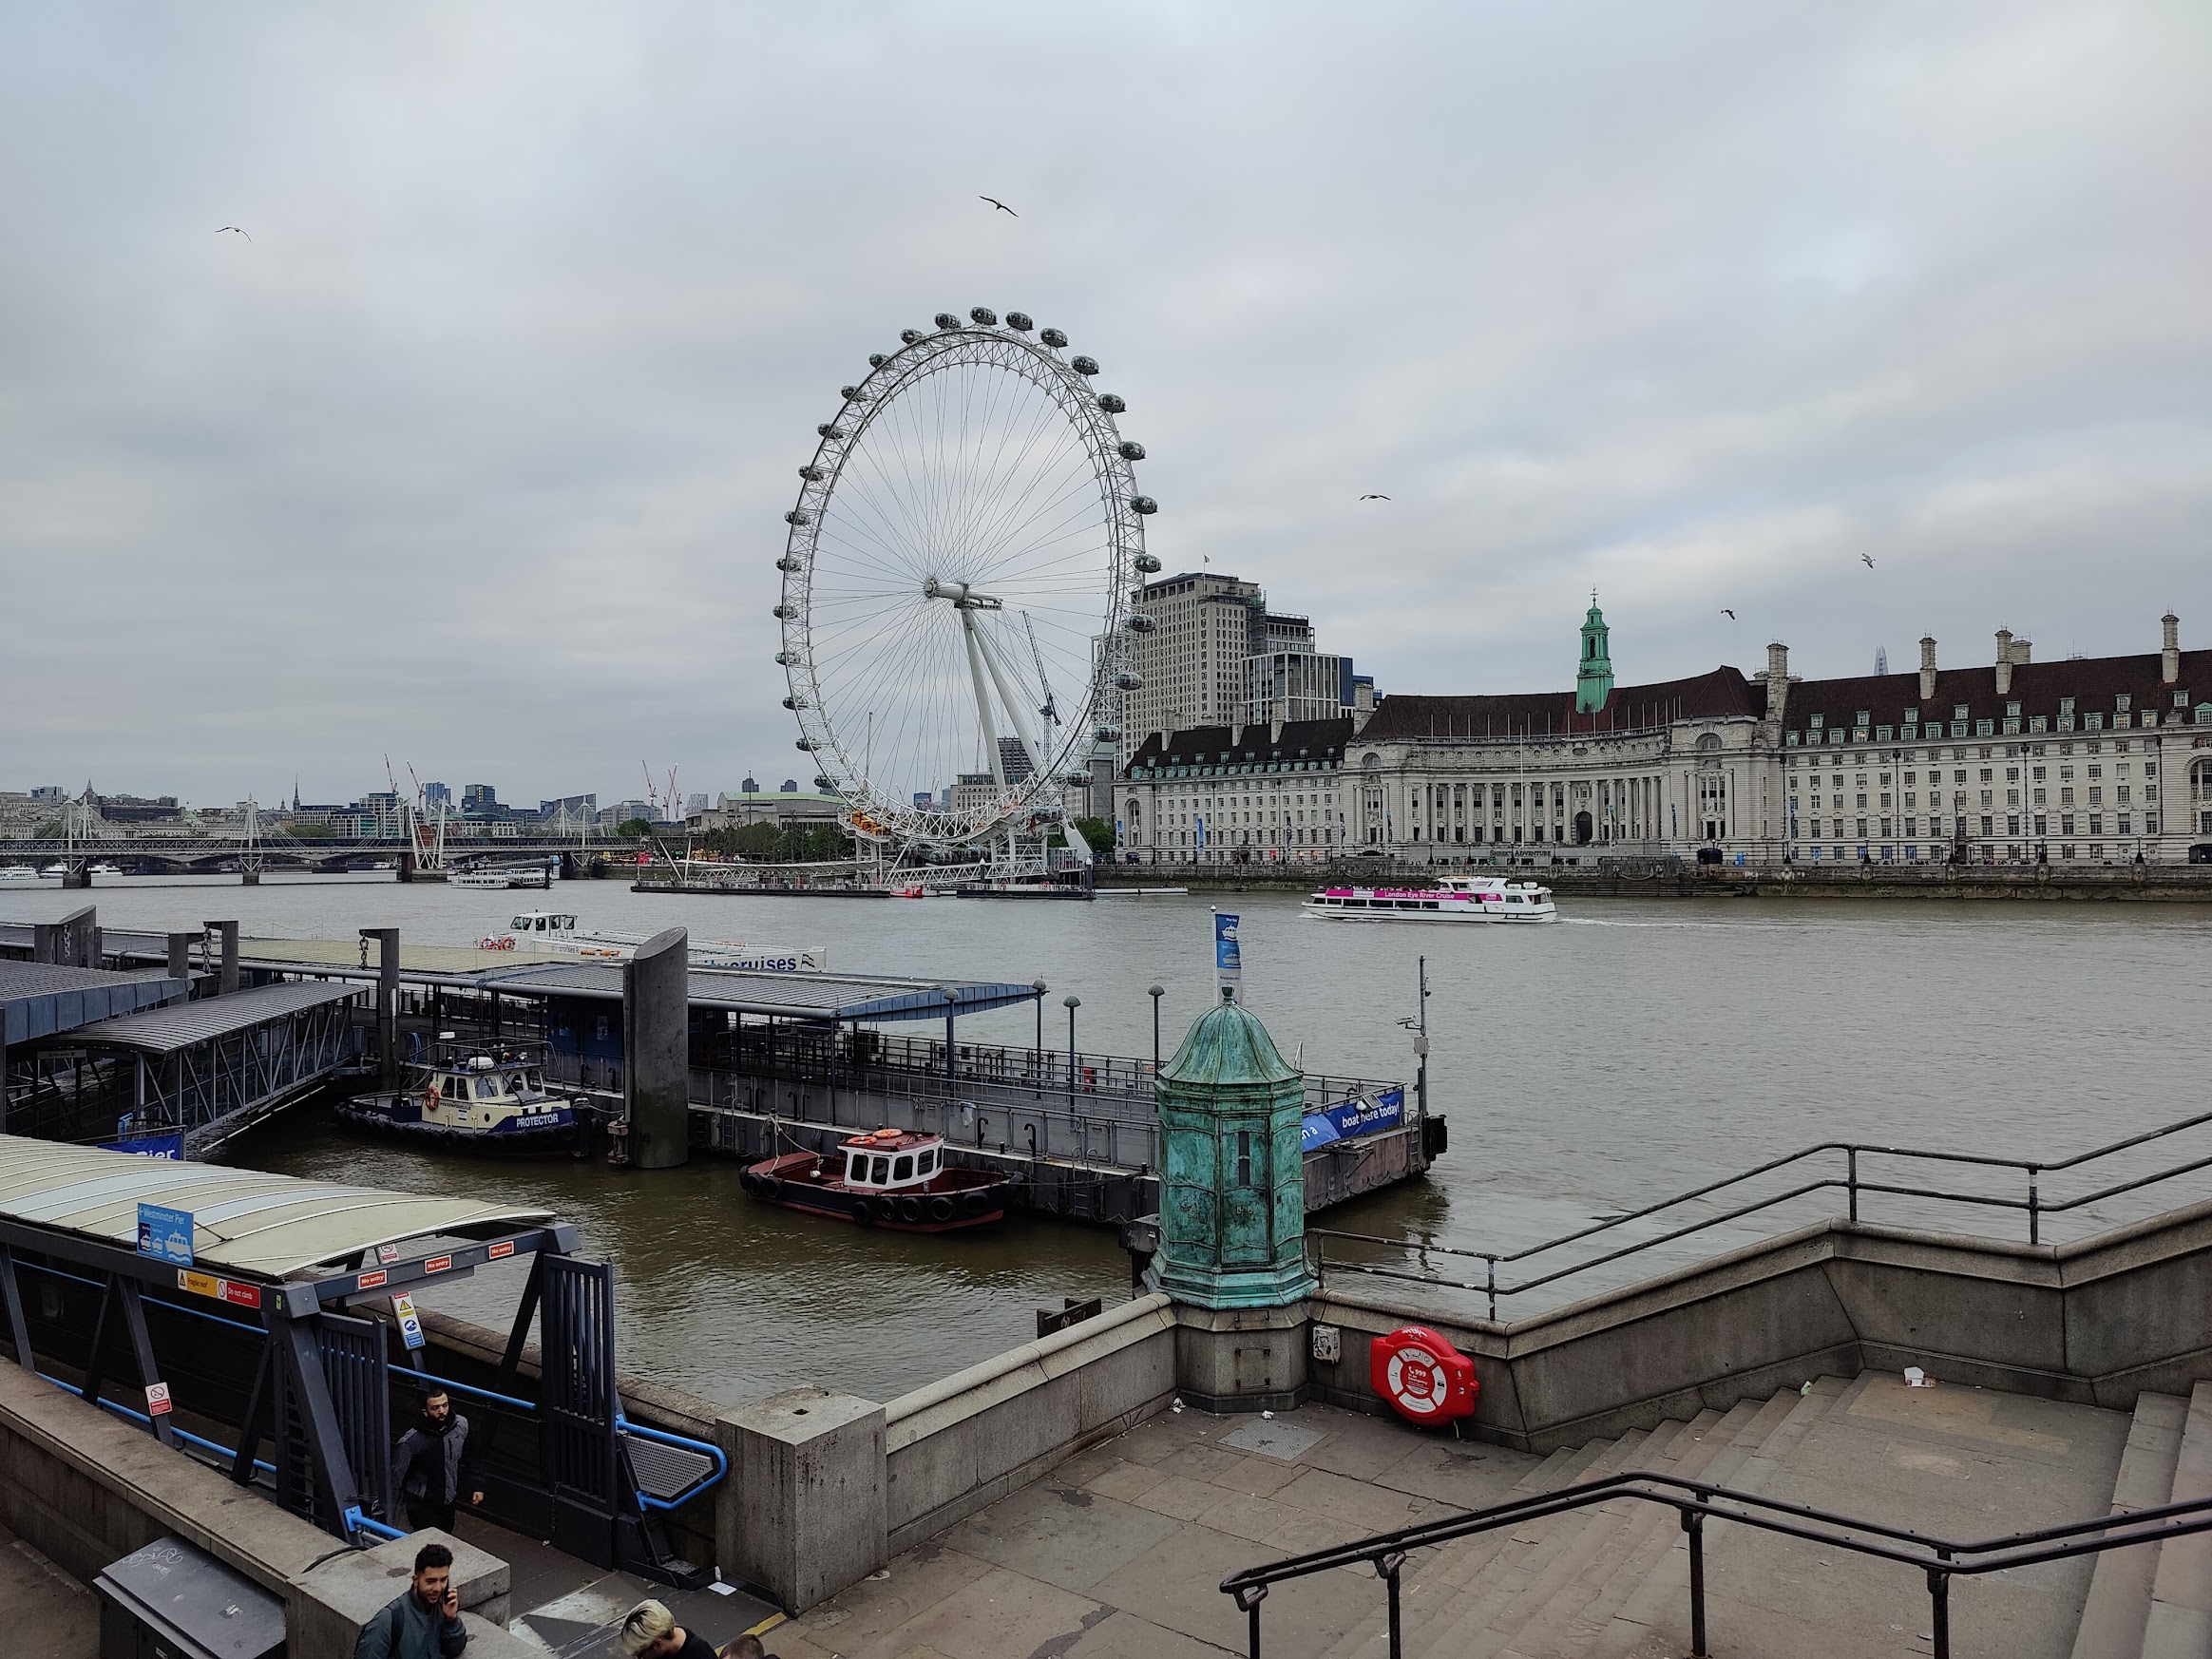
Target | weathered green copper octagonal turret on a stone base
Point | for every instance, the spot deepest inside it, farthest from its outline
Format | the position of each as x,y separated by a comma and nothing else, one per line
1233,1215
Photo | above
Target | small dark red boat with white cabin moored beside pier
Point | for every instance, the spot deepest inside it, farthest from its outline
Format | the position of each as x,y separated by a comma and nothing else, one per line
895,1180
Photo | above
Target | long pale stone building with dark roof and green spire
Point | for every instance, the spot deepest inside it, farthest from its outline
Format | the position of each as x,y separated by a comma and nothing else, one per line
2103,760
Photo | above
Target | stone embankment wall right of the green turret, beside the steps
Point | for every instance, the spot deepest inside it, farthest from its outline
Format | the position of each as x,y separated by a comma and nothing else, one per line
2094,1322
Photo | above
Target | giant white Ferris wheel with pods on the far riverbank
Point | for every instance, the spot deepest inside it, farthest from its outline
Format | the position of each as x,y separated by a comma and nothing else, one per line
957,587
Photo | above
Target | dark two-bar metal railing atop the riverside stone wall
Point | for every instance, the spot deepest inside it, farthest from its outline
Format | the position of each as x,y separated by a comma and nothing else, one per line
2032,1200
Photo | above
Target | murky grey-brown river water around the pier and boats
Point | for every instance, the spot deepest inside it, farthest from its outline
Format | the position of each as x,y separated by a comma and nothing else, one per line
1589,1067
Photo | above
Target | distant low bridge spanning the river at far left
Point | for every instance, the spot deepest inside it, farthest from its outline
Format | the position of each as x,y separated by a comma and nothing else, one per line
419,848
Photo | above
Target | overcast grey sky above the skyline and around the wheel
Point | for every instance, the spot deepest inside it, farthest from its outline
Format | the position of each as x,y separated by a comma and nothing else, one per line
477,455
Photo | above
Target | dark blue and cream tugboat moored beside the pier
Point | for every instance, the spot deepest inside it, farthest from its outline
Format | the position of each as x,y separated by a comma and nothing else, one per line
477,1100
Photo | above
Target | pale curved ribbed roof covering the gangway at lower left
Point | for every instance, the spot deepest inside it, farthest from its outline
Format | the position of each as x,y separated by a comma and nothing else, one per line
244,1222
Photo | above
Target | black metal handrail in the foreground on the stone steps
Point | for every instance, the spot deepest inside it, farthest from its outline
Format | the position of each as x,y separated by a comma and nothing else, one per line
1698,1503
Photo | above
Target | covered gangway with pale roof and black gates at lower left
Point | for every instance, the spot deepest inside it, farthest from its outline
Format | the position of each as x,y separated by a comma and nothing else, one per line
264,1346
